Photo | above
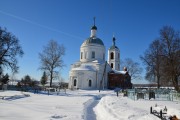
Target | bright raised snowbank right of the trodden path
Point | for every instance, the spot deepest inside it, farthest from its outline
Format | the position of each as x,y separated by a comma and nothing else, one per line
122,108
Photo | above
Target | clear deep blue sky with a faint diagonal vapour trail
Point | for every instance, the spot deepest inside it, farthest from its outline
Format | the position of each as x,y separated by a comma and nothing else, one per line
135,23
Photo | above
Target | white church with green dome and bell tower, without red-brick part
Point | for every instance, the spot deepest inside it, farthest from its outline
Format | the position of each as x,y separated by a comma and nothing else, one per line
91,72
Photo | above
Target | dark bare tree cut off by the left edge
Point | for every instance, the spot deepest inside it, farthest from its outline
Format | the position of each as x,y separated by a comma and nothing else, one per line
9,50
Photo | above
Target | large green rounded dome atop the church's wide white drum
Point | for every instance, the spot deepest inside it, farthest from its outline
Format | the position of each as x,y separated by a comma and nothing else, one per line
93,40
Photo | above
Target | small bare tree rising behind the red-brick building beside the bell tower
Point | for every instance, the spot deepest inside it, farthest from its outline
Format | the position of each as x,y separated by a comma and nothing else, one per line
133,68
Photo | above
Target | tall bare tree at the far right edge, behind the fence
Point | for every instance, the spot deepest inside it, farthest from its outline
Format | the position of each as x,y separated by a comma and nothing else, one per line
171,54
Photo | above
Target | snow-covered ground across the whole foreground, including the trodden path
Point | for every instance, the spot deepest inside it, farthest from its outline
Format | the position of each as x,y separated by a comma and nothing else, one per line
79,105
